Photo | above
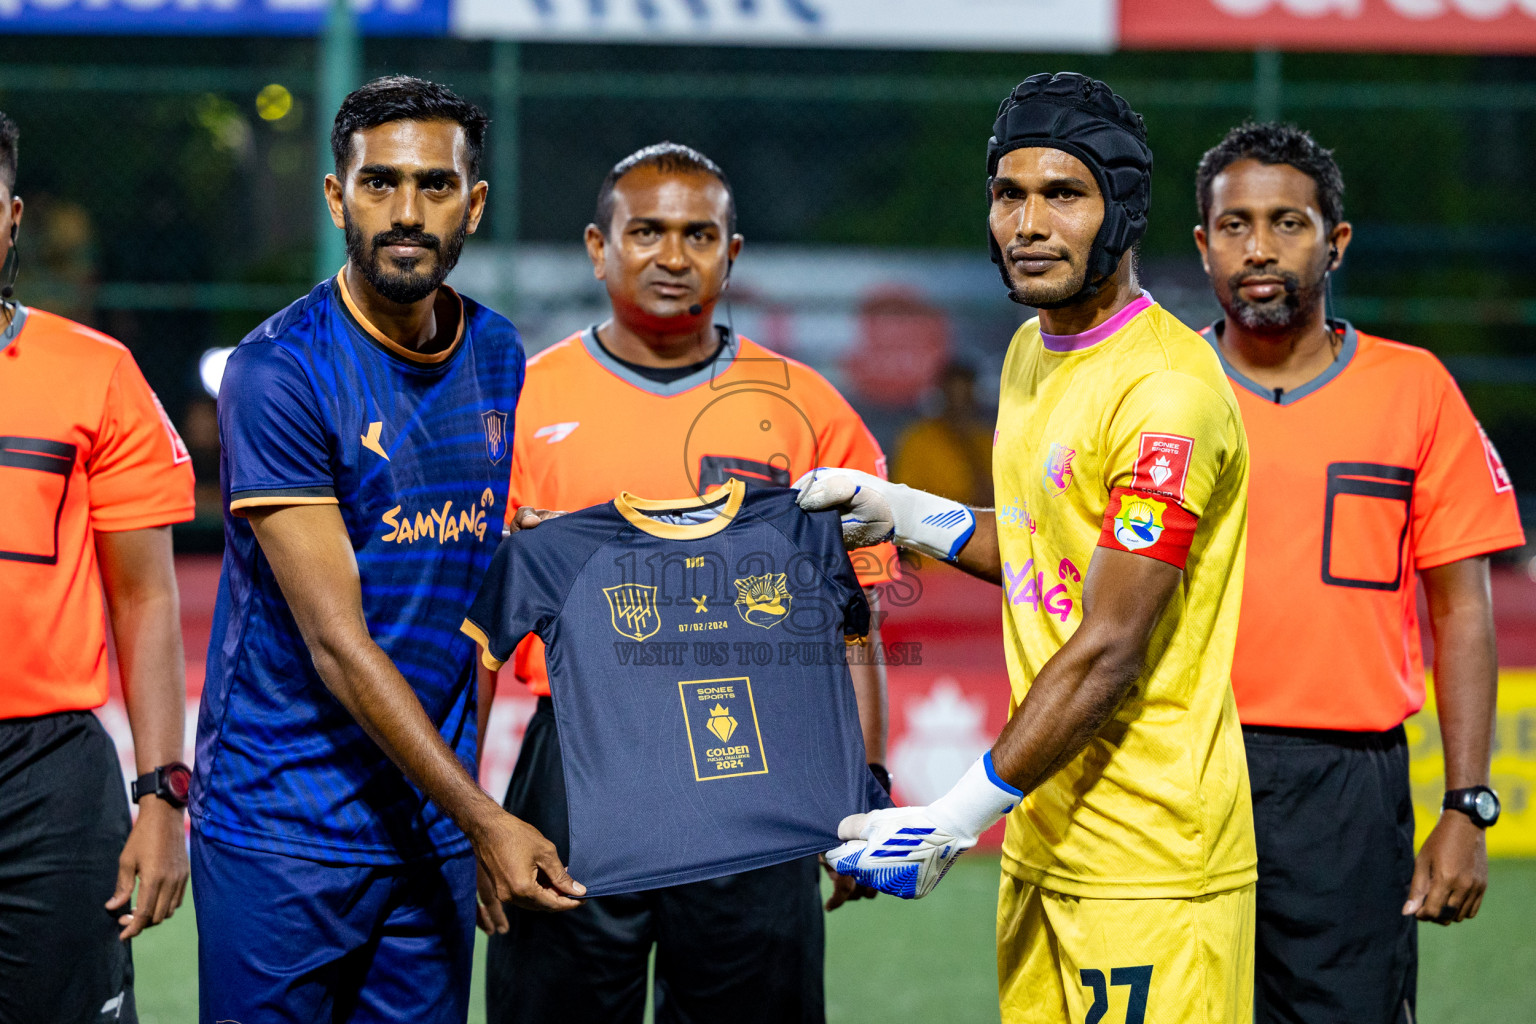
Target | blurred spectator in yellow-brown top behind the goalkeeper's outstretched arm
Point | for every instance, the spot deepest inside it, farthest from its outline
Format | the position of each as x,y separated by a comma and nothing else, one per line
950,454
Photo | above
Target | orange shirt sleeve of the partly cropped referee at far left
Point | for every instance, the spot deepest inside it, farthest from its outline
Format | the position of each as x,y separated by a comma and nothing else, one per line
141,471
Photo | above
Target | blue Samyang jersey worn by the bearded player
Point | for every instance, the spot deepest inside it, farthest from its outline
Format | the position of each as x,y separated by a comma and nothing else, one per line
317,406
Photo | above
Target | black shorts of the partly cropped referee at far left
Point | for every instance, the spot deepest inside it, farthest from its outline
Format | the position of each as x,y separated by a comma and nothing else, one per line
64,821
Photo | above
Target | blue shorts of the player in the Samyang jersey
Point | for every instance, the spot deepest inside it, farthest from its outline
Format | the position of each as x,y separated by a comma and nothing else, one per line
286,940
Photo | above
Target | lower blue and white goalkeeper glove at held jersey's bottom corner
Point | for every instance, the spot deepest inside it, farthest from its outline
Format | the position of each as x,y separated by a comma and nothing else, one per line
905,851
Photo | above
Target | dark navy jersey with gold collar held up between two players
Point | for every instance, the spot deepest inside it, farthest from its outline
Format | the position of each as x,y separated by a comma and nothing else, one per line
697,656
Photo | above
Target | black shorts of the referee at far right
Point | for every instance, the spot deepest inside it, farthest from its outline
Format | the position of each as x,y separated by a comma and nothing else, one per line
1334,819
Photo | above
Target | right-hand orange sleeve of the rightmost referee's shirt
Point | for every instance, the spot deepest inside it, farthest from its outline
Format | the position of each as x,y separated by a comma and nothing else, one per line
1463,497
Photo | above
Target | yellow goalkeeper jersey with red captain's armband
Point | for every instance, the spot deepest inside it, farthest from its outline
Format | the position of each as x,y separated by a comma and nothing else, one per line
1130,438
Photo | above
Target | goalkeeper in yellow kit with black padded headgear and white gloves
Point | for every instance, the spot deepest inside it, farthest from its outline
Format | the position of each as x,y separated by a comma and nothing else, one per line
1130,865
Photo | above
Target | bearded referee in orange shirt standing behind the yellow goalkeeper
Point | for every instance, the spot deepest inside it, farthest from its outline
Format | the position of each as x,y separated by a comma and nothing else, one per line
1369,474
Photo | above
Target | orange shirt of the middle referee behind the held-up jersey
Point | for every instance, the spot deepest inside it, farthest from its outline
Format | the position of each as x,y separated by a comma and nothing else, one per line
591,426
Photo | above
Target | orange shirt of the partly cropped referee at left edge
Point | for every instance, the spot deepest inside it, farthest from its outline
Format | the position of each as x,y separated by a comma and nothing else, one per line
85,448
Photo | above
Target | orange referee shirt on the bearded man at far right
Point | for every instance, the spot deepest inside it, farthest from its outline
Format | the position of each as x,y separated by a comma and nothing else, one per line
1360,478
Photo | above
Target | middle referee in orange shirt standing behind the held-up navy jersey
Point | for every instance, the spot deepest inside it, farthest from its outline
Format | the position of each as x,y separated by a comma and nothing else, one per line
663,403
